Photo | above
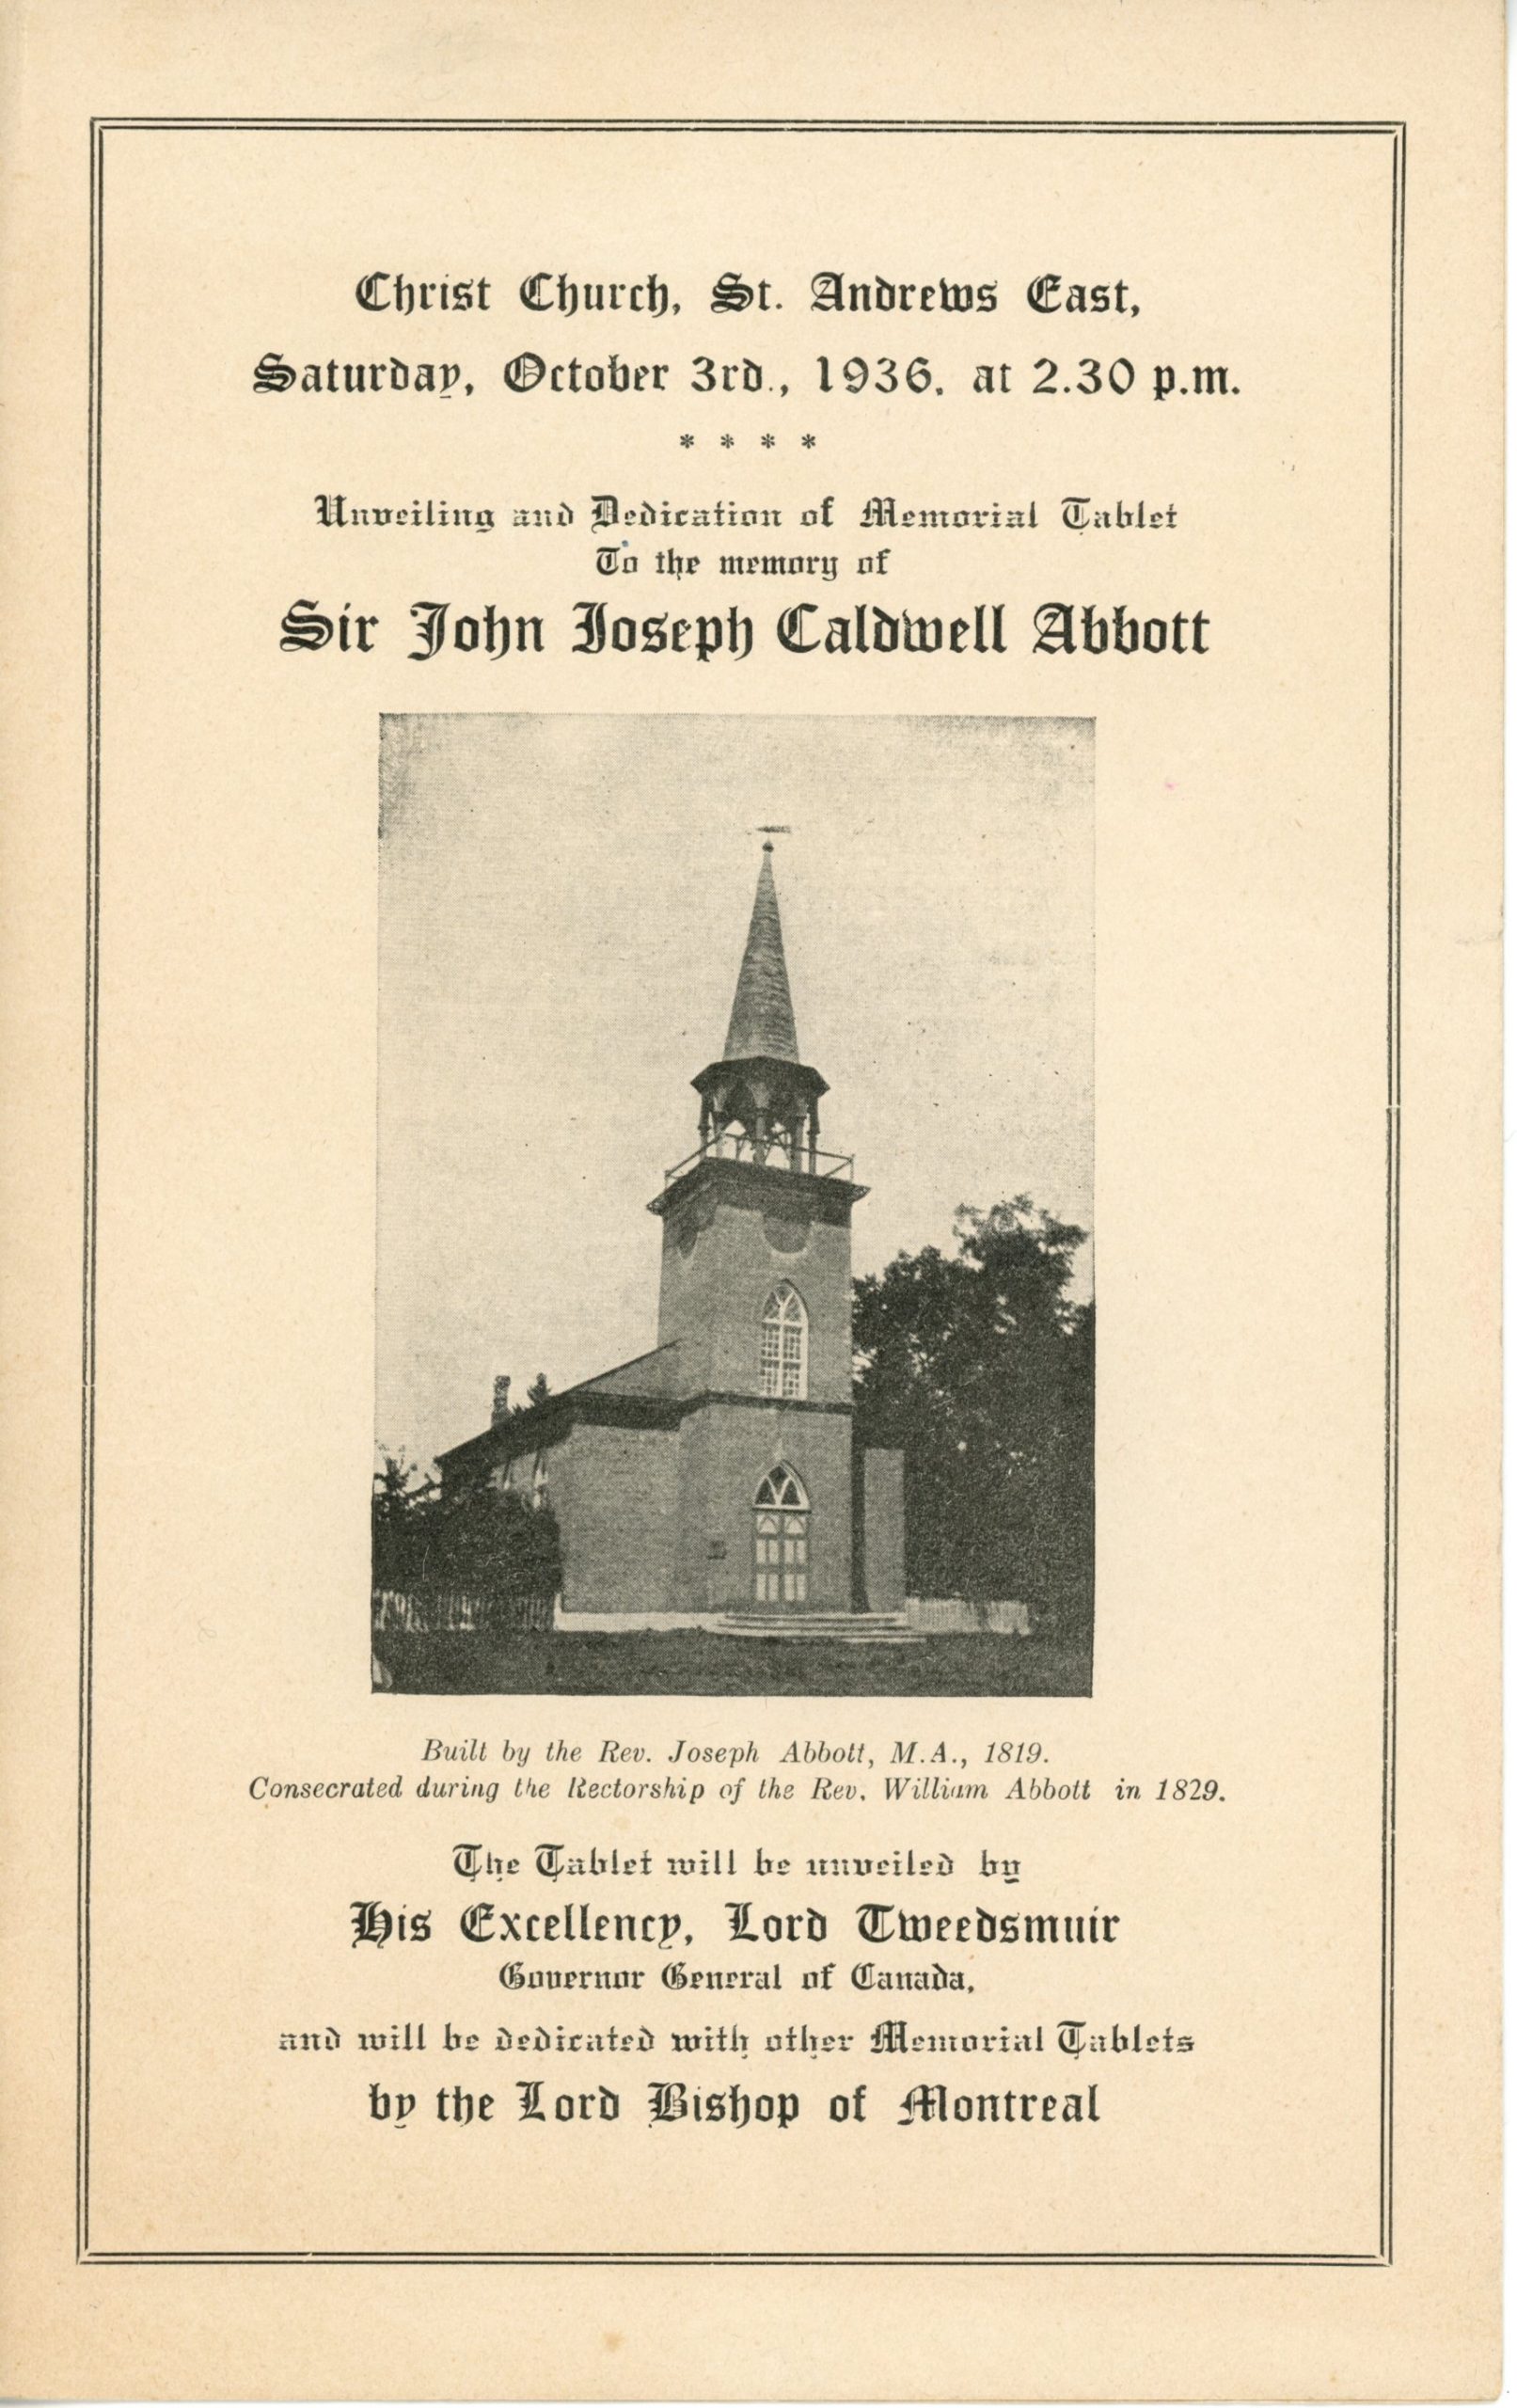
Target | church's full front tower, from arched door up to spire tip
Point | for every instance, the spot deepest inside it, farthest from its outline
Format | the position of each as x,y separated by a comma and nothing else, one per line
757,1297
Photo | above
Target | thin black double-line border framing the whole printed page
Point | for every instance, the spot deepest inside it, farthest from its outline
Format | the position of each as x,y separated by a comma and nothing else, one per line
1395,134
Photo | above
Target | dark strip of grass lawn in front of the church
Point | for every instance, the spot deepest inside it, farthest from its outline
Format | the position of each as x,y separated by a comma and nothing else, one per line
702,1665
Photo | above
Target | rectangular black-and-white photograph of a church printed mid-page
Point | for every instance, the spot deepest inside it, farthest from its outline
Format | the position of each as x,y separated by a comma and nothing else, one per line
736,1208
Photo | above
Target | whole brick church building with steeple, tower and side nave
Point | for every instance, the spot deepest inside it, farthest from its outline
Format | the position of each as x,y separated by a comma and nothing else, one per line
716,1480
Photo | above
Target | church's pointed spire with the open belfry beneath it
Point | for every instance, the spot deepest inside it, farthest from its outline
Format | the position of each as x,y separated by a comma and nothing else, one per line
760,1102
